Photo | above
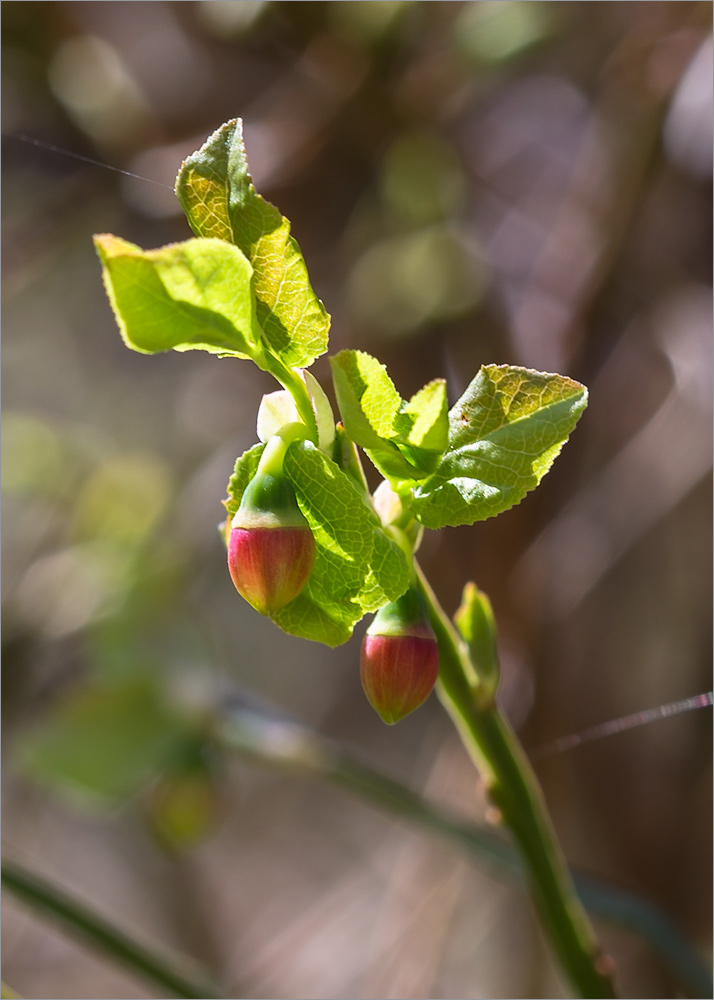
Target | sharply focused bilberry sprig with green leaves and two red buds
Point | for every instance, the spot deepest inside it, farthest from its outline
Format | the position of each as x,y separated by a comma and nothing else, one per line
307,543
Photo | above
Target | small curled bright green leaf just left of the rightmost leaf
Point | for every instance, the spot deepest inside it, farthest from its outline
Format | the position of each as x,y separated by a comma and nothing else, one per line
404,440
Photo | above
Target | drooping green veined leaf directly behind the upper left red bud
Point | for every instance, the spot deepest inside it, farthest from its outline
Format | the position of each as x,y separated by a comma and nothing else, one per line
357,567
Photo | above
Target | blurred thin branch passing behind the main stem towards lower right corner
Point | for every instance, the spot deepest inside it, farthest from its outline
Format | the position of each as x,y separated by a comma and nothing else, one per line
292,747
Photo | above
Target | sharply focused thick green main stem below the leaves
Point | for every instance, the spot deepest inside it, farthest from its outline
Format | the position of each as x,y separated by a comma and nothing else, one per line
513,789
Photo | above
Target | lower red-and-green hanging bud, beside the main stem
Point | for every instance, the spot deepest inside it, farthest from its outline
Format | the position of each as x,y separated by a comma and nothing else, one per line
400,659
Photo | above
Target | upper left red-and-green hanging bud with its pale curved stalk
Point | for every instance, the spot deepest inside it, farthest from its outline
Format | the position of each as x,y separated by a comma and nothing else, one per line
271,550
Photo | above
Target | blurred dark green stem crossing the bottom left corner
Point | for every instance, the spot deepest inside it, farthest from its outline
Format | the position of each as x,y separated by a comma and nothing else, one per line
48,899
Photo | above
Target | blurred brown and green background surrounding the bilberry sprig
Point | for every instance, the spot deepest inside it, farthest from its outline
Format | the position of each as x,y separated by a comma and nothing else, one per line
509,182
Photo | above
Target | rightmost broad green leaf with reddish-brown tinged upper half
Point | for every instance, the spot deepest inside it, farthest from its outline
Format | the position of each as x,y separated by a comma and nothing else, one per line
504,434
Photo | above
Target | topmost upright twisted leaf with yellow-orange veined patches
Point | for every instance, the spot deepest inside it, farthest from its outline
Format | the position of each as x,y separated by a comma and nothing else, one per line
217,194
